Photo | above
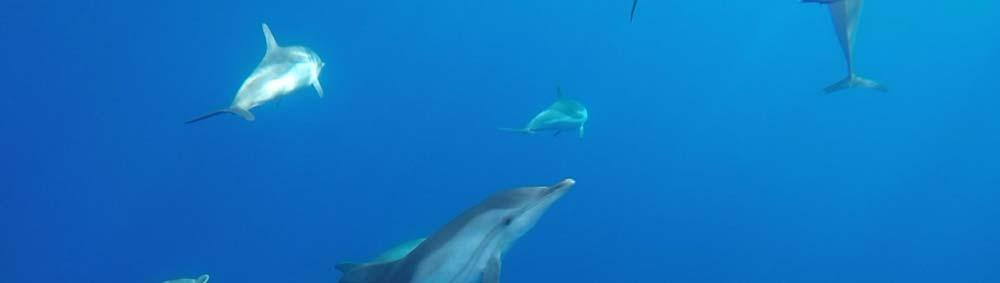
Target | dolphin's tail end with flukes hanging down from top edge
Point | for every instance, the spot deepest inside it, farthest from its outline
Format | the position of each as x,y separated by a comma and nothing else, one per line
845,15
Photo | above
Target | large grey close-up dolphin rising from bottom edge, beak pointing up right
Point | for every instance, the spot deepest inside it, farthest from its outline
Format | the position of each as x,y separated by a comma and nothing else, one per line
469,248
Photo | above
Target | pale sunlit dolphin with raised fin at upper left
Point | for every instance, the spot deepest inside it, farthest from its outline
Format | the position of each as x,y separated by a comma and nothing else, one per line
283,70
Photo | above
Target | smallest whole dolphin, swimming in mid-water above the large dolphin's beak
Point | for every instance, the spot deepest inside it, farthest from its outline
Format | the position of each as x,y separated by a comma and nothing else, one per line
564,114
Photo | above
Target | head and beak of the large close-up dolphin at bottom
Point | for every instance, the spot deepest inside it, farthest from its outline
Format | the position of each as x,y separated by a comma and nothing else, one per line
516,211
